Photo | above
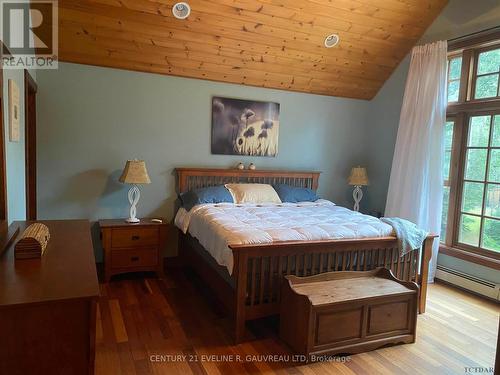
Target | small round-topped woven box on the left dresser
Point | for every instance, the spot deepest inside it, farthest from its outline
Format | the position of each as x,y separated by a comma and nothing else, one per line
32,242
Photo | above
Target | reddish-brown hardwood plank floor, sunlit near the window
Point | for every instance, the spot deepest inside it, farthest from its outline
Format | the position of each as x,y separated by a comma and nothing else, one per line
148,326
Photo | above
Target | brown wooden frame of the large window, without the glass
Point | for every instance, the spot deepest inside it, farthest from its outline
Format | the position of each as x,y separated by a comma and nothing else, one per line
460,113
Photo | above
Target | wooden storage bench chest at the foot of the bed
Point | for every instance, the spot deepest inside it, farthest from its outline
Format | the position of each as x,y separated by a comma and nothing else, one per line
347,312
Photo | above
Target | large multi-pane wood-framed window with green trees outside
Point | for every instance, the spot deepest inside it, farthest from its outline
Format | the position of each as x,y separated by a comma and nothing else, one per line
471,165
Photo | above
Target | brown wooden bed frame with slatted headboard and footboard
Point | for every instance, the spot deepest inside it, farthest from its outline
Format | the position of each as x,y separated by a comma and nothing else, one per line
250,288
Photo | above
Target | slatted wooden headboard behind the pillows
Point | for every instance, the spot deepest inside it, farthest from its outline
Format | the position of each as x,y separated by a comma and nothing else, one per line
194,178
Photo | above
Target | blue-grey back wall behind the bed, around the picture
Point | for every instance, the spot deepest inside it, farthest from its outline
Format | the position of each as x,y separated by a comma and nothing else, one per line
91,120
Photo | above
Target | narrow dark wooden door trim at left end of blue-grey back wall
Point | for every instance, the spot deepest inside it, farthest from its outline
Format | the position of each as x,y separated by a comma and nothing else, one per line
30,147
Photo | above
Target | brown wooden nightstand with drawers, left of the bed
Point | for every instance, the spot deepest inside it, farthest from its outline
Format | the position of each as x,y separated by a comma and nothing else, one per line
133,247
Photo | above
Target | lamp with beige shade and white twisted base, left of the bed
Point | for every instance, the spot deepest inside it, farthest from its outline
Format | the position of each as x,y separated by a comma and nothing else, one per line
135,173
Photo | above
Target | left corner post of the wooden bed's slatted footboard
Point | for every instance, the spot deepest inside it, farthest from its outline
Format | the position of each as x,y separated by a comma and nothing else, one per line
241,271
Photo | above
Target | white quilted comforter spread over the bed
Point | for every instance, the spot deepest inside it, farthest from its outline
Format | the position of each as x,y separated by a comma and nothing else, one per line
216,226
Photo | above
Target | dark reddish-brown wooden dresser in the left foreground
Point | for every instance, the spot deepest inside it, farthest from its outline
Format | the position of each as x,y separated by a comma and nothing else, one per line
48,305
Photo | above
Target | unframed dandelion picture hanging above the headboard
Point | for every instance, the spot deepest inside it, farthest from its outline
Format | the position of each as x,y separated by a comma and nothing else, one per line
244,127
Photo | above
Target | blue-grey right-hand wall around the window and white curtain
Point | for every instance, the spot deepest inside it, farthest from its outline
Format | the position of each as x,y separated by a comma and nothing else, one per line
460,17
